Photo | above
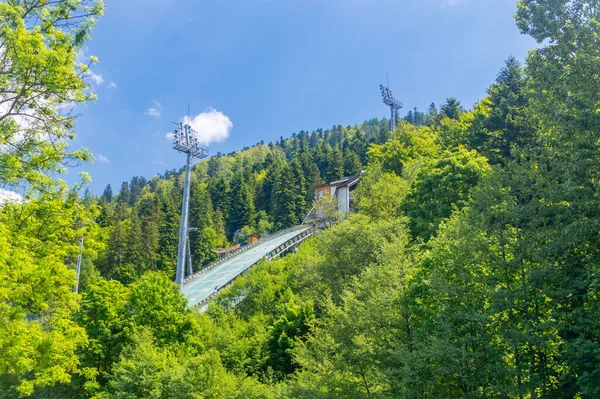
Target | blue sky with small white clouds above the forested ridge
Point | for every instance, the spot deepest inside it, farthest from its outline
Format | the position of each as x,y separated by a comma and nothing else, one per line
276,67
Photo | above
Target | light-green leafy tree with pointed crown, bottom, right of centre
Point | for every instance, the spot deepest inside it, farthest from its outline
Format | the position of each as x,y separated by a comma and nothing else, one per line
359,347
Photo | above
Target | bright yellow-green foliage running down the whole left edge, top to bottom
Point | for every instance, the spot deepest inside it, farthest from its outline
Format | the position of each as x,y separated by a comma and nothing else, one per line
39,75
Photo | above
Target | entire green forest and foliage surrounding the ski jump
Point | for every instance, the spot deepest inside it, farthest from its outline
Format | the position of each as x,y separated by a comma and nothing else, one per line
468,268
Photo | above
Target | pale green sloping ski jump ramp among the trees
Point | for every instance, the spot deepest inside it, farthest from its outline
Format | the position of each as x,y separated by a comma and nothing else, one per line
205,284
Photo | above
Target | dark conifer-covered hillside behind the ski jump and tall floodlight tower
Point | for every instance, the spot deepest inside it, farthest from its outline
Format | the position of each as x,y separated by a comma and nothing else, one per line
260,189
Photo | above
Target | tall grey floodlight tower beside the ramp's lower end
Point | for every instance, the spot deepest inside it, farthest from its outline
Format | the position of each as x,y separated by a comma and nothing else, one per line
185,140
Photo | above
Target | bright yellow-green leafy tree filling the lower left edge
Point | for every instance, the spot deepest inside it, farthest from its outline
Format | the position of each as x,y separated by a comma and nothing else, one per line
39,338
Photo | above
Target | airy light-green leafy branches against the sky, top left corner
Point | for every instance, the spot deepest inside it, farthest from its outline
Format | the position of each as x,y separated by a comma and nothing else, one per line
39,76
